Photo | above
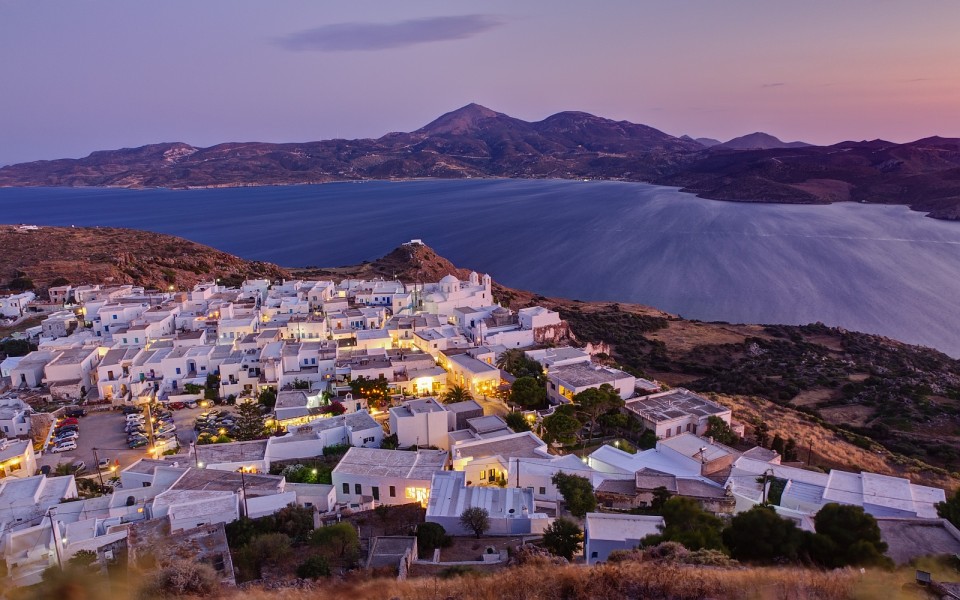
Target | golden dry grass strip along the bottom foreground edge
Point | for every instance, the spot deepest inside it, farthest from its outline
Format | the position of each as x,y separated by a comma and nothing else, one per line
631,580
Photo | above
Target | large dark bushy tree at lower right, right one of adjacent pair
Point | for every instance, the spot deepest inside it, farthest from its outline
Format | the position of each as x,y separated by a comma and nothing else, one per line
847,535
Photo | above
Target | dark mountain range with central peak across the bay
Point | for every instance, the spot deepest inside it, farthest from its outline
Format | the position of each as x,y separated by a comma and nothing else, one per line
475,141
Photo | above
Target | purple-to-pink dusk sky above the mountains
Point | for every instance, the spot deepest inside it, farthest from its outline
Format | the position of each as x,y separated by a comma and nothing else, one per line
76,77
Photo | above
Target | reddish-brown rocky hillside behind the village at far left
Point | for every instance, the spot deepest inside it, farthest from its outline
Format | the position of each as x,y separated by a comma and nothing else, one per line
109,255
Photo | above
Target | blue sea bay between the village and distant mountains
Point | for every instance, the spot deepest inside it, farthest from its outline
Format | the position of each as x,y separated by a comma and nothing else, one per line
879,269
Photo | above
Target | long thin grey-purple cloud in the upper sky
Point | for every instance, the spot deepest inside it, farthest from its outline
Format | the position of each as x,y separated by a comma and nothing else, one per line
346,37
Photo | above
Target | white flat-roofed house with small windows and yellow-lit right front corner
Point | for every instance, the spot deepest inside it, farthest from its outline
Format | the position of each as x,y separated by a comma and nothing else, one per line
386,476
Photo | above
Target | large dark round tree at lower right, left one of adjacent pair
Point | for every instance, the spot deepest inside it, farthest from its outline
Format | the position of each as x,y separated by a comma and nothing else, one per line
759,535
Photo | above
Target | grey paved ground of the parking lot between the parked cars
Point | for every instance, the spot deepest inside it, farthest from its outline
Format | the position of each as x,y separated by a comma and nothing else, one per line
104,430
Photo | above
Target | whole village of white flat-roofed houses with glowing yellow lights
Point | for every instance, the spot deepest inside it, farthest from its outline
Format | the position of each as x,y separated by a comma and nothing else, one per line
161,418
